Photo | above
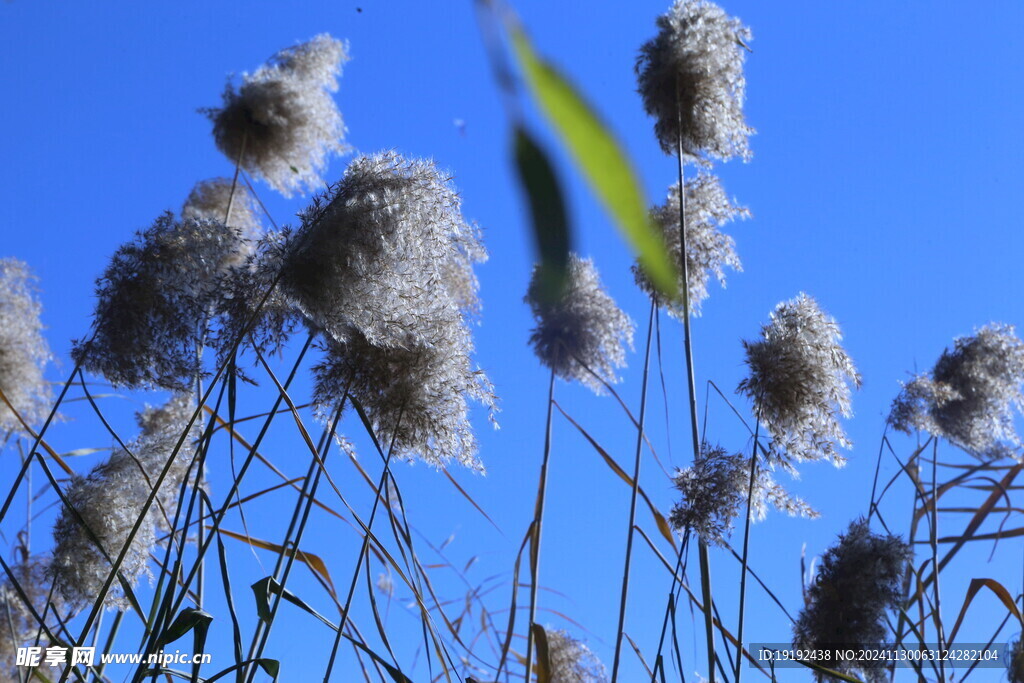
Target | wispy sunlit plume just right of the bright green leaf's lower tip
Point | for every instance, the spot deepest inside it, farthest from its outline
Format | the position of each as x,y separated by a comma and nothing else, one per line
709,251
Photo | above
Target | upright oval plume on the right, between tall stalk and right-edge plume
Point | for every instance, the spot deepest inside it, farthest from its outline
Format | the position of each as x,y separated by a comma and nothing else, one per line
800,379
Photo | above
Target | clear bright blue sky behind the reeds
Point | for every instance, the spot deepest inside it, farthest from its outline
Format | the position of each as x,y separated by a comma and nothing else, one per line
885,183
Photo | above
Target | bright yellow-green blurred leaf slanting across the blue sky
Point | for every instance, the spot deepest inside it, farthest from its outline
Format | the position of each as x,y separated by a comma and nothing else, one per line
601,158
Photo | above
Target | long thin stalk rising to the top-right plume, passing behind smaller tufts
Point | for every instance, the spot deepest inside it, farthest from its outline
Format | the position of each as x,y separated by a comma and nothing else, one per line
689,355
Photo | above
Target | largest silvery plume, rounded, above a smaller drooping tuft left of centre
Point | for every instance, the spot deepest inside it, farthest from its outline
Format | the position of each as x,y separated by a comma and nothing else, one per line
385,253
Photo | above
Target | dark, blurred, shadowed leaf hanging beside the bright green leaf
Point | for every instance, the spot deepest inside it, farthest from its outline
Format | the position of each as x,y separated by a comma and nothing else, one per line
551,228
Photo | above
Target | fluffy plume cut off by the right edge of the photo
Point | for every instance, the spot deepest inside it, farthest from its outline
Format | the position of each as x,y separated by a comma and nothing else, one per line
971,396
